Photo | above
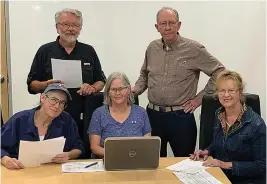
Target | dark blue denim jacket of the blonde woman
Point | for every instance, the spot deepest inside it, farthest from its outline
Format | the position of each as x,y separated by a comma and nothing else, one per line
245,147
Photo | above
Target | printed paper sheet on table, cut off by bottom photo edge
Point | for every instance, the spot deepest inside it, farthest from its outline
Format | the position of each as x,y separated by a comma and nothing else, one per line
202,177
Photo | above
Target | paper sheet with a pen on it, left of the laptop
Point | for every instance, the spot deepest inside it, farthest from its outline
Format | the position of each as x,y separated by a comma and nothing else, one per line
77,167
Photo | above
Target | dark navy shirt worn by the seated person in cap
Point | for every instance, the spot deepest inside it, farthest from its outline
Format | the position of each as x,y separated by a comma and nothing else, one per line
21,127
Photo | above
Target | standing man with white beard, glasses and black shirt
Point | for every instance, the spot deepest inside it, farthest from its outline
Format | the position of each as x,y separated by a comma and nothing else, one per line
66,47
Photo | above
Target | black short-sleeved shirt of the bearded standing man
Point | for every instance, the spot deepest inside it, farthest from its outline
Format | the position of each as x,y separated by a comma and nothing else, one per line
41,68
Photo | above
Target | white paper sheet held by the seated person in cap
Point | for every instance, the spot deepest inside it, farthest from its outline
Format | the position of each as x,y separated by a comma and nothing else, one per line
39,152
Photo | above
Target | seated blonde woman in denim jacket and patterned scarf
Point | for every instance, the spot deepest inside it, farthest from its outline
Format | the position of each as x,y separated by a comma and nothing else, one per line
239,138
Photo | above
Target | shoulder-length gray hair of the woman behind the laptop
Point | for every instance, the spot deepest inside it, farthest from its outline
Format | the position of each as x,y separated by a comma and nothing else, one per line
125,81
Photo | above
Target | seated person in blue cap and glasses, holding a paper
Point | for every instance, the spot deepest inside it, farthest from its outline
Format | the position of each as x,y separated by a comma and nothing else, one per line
46,121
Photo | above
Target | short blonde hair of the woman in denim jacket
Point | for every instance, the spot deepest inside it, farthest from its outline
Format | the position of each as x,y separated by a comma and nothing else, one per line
230,75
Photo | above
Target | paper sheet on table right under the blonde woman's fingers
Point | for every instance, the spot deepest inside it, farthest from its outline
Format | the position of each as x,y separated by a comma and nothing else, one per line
188,166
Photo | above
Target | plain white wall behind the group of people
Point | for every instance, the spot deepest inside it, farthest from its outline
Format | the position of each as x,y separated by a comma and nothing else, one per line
234,32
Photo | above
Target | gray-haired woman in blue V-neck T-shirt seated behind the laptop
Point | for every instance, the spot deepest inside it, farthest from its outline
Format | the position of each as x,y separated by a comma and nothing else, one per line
119,117
